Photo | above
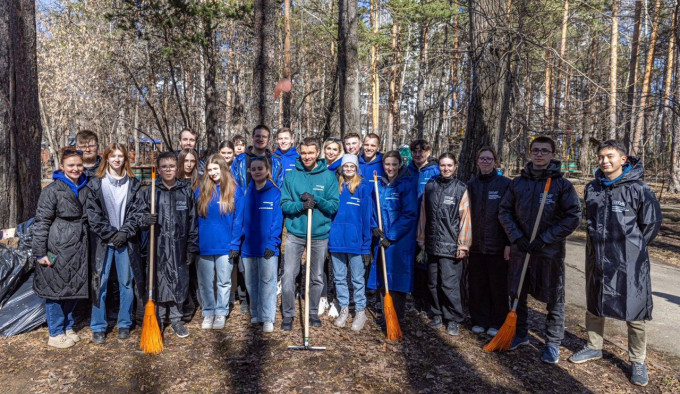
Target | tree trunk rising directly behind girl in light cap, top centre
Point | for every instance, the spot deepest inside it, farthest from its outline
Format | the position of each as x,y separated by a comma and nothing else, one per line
348,67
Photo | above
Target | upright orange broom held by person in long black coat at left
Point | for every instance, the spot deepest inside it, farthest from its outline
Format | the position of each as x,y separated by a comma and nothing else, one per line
152,341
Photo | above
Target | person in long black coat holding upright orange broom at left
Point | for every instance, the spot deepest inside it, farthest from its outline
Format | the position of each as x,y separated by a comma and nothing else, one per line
176,242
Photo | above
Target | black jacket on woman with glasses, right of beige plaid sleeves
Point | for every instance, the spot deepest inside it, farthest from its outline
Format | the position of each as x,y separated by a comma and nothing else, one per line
485,193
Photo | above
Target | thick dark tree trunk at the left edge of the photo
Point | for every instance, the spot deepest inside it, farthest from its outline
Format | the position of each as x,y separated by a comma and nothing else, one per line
20,129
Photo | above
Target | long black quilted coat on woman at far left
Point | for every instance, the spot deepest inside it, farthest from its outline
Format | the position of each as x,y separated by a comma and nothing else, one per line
60,228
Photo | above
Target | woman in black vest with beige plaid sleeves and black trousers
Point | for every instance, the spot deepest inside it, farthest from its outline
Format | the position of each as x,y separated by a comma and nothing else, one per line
445,234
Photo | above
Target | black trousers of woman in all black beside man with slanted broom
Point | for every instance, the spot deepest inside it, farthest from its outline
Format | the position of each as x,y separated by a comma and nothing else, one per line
488,286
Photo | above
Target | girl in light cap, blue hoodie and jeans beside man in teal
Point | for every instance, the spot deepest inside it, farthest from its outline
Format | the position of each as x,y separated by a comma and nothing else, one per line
350,240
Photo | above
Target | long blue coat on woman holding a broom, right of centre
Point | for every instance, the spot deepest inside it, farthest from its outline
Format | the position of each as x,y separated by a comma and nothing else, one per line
398,206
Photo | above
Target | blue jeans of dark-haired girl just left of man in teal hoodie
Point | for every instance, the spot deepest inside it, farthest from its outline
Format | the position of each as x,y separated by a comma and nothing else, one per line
261,284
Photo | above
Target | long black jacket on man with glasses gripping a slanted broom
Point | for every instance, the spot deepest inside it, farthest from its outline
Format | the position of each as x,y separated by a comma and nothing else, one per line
561,216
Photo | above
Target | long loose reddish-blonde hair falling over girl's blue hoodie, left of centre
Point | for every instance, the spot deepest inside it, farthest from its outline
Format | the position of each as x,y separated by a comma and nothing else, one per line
208,188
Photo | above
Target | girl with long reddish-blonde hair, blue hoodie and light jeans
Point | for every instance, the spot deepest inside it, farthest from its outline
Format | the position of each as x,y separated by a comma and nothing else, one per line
217,197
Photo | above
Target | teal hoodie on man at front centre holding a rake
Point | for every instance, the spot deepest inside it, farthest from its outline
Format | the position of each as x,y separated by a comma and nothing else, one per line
323,185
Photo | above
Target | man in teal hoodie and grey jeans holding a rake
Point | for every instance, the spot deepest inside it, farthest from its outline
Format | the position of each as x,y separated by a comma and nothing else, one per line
309,186
